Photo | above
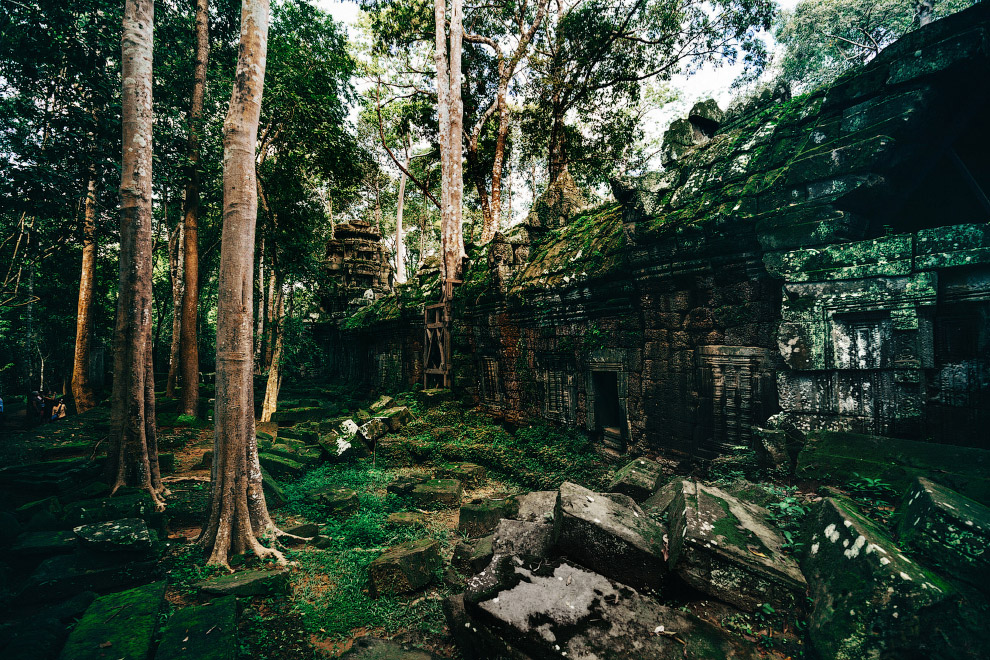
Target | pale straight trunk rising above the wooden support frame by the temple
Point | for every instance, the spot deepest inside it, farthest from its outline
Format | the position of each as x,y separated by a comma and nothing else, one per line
450,110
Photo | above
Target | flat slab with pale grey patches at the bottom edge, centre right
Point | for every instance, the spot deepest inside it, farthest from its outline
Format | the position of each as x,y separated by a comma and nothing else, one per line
579,613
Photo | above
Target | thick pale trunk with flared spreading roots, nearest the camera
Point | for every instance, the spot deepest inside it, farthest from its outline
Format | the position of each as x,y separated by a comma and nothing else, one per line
237,514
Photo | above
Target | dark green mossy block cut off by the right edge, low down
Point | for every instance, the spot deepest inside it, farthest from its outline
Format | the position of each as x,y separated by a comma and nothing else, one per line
950,531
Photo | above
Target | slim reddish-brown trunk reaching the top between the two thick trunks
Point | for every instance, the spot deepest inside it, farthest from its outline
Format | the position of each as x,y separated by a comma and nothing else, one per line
189,404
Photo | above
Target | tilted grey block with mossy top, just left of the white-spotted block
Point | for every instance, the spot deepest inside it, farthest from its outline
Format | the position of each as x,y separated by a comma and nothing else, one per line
726,549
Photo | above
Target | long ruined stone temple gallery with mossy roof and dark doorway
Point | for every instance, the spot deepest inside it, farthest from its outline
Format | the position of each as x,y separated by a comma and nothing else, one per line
821,262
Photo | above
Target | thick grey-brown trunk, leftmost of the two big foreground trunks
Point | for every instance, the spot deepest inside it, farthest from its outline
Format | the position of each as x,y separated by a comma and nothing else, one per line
133,454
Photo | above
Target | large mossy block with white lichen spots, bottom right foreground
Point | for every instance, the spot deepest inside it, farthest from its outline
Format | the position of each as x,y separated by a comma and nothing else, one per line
869,600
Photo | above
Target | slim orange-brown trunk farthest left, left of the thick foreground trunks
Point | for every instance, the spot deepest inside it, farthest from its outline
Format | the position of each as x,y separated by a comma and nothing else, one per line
82,392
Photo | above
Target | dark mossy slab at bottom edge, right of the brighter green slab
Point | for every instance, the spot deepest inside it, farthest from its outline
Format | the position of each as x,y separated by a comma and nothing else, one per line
202,632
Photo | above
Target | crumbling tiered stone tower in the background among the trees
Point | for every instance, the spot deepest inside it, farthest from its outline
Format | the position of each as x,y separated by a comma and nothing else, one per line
358,266
